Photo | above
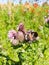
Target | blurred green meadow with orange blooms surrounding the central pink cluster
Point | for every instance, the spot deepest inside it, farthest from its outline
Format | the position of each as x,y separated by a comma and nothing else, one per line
36,53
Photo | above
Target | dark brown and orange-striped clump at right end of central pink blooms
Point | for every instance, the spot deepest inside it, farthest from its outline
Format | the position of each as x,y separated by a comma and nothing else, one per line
31,36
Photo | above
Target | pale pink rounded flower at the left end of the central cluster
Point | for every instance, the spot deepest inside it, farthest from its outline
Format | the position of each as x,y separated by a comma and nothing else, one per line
12,35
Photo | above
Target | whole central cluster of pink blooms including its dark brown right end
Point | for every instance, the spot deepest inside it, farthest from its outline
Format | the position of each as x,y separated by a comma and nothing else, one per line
21,35
